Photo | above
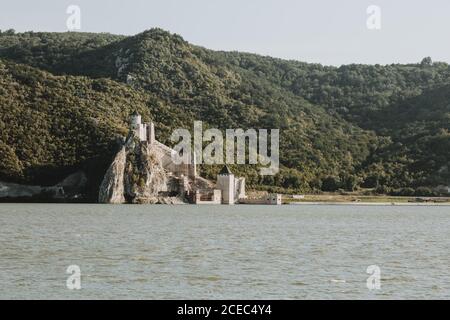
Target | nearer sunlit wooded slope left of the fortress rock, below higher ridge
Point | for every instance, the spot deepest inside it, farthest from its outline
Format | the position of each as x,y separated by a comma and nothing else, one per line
50,126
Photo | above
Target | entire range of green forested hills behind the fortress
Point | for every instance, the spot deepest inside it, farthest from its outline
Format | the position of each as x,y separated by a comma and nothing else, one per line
384,127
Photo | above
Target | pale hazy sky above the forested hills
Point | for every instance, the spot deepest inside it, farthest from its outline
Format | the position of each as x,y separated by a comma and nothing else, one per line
325,31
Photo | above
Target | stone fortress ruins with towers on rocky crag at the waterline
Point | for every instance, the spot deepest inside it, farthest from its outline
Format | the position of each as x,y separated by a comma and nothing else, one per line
143,171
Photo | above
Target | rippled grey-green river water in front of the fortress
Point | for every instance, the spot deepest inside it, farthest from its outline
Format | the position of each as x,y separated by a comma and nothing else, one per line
224,252
